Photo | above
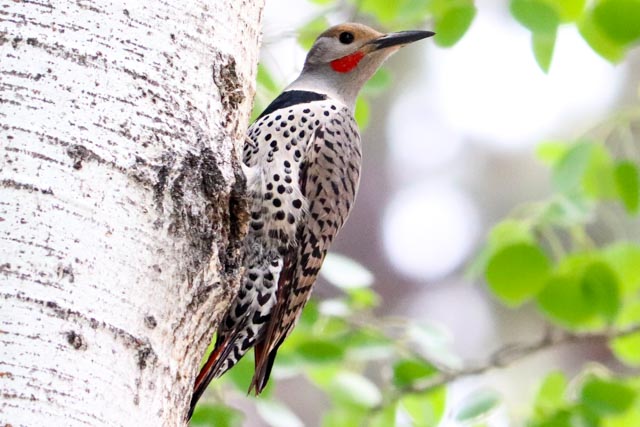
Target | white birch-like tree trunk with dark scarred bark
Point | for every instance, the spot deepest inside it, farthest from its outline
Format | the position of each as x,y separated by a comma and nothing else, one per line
121,202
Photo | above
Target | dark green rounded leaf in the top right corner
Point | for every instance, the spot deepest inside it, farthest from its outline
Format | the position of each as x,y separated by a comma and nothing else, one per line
619,19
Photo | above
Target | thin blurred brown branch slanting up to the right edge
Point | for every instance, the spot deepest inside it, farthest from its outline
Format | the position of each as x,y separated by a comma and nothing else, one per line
508,355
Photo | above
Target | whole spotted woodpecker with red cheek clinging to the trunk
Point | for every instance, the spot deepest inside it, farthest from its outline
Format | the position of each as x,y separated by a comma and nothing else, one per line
303,159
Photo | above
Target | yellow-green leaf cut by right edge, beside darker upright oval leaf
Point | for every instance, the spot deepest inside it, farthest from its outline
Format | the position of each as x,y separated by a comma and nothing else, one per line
624,258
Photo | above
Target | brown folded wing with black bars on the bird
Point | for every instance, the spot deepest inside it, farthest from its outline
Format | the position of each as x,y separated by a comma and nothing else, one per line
329,180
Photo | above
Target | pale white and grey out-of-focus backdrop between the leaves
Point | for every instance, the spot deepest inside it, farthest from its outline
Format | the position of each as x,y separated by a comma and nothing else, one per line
449,150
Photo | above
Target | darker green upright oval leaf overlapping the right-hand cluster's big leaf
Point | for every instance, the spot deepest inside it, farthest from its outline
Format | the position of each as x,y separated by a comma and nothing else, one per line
600,288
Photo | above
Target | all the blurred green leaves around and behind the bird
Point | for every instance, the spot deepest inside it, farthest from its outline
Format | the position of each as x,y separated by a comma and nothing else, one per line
374,371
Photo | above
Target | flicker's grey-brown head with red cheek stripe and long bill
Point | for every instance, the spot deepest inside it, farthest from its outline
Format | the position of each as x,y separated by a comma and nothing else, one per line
345,56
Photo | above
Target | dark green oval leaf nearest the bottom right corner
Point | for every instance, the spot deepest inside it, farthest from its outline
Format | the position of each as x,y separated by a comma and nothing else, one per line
607,396
